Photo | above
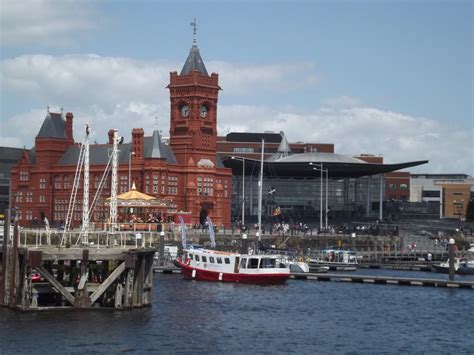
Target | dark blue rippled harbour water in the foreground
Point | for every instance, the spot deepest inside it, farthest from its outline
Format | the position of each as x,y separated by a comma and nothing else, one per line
299,317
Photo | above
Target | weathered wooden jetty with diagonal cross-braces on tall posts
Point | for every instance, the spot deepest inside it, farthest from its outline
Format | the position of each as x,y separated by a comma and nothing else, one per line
57,277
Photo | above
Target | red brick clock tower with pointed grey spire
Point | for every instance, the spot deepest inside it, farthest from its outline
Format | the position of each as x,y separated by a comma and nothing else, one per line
193,111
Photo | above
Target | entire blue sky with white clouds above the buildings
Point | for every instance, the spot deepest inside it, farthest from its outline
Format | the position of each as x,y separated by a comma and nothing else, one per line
389,78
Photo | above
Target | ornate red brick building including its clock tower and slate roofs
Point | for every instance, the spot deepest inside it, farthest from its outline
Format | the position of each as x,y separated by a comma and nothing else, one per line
187,171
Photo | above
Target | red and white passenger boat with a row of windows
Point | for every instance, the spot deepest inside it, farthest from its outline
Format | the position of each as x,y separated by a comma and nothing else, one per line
220,266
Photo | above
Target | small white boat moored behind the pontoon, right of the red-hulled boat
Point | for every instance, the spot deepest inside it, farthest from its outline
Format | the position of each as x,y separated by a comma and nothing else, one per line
335,260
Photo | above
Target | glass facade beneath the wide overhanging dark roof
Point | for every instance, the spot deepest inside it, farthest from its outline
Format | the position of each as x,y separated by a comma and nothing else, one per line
299,199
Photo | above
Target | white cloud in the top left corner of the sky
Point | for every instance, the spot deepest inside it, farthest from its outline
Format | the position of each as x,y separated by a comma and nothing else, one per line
45,22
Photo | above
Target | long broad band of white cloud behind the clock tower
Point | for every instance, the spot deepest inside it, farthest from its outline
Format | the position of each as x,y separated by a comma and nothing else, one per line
122,93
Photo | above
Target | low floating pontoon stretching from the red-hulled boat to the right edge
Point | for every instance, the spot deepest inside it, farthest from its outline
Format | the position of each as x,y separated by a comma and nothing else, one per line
384,280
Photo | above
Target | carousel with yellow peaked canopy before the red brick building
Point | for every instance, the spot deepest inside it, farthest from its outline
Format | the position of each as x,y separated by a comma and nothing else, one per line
139,211
